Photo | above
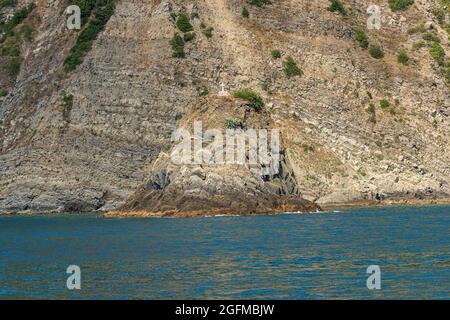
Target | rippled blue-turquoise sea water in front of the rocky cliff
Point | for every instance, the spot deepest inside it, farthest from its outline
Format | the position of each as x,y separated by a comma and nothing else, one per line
318,256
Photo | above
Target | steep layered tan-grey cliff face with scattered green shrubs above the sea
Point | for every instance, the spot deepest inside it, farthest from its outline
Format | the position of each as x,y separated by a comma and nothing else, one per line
352,126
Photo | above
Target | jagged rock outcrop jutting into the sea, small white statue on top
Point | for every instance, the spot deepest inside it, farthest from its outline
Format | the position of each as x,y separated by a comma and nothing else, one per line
209,187
